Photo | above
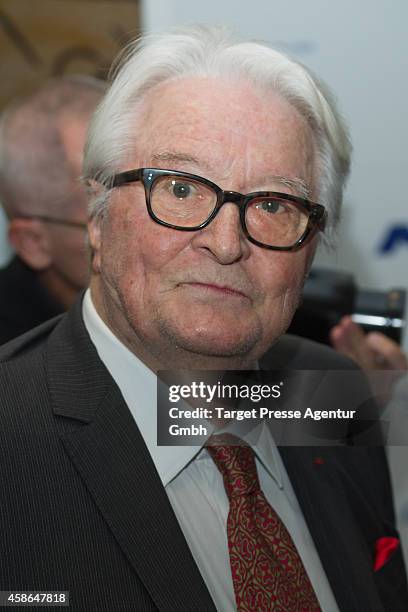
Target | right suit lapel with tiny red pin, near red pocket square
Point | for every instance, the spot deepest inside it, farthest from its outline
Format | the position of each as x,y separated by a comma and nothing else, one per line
333,527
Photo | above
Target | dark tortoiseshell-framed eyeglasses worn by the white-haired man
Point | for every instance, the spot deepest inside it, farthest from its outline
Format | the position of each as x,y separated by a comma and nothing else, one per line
188,202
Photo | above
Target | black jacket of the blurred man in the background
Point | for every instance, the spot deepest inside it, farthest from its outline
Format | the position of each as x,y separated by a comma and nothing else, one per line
24,302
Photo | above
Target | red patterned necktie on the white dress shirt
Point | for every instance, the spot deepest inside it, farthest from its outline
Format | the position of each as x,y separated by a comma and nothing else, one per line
267,571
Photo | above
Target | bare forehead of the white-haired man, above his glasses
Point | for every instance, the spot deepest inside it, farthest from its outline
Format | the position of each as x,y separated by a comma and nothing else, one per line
224,127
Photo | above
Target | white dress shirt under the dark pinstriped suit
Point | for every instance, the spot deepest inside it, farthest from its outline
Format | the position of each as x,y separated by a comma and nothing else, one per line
194,484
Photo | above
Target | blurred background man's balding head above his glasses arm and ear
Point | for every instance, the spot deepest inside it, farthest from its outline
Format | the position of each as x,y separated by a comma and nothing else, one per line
41,141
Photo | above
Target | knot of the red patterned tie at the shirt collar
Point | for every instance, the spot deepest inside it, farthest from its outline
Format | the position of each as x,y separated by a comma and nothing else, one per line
236,462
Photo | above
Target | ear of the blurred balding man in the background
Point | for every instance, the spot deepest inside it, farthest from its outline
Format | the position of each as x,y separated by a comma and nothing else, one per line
30,240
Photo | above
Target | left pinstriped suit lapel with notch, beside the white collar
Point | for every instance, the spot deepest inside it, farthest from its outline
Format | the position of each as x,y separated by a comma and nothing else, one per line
111,457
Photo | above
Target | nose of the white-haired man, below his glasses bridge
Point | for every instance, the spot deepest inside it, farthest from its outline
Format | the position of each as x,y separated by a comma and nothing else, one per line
223,238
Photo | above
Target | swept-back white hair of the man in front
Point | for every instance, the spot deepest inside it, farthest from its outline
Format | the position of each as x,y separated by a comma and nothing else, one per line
208,51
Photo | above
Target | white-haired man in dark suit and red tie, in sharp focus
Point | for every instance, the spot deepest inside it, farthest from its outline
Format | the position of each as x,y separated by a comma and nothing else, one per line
205,160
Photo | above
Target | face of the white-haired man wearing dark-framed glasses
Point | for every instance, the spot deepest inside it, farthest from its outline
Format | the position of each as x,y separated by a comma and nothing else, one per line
208,297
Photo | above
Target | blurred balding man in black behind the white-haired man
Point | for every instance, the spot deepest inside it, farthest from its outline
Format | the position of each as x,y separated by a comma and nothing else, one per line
41,148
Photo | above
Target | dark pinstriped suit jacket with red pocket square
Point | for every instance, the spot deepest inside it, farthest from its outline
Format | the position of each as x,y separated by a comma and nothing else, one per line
83,509
